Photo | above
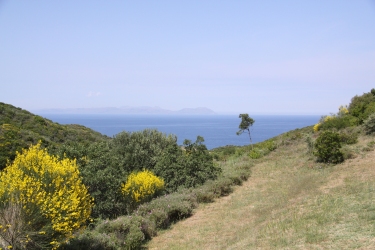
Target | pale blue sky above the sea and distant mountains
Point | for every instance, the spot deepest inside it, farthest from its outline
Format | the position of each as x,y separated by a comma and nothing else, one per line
257,57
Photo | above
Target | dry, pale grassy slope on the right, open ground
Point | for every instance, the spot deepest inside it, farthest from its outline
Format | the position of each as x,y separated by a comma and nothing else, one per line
289,202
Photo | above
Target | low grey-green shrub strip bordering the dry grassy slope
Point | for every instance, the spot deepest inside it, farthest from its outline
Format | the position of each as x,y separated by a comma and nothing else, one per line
132,231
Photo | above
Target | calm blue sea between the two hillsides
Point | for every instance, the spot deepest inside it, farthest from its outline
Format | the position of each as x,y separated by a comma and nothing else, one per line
217,130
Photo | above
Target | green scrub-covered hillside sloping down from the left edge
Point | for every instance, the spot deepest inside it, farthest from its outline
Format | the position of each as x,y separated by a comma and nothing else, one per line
20,128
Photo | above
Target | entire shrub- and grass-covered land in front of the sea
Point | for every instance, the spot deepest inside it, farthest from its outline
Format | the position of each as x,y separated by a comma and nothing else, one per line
121,192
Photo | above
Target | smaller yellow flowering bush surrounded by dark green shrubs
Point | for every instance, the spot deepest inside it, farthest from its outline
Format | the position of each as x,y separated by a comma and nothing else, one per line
142,186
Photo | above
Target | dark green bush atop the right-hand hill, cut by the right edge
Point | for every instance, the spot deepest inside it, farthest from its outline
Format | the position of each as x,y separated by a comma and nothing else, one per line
362,106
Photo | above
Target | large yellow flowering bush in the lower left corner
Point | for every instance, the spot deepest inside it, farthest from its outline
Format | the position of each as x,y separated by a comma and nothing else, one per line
53,201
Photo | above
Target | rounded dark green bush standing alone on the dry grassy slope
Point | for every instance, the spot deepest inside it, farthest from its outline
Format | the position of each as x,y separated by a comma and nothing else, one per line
327,147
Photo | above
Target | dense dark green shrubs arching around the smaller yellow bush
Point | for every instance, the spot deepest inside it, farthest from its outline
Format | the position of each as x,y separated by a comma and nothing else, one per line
106,165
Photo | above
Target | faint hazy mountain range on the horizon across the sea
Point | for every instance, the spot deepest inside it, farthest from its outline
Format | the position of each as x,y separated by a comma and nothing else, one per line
128,110
